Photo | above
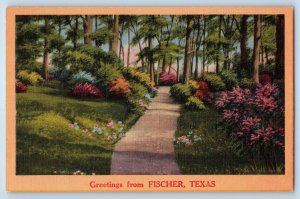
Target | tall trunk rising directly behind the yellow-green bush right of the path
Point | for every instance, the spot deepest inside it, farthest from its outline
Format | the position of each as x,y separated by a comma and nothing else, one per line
187,55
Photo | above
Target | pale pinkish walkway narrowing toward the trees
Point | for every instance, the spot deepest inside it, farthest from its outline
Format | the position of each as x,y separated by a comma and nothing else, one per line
148,145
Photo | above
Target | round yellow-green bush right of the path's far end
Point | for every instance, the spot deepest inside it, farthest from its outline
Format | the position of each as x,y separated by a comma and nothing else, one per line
180,92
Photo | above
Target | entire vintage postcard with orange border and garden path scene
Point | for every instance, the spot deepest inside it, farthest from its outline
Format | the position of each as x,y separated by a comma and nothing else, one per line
150,99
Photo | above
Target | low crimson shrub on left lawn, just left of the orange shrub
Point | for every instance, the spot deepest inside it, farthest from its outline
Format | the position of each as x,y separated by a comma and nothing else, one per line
85,90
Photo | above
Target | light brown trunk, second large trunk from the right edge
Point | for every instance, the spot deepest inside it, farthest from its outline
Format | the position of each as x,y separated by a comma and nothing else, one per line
257,43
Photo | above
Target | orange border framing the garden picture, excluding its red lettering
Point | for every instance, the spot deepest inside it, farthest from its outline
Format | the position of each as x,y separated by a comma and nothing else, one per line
224,183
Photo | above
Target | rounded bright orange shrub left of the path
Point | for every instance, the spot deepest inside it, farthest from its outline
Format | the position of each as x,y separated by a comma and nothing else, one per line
120,88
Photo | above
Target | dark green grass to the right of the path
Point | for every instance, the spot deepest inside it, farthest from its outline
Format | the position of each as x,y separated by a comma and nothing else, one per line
214,153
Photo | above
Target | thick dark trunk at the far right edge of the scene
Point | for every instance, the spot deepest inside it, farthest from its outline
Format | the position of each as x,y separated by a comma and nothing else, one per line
279,58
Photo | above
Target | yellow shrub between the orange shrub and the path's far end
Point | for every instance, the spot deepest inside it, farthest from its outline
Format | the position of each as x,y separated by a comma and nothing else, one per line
138,76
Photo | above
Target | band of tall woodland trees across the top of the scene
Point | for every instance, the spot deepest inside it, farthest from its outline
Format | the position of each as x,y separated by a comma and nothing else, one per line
195,44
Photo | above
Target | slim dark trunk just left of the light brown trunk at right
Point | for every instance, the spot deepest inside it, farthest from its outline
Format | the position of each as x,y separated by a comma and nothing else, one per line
243,44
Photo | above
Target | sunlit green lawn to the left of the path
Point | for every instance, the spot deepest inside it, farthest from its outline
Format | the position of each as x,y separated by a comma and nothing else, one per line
45,142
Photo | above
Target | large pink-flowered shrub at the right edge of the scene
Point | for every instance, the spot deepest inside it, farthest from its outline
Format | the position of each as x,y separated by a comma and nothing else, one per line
256,119
